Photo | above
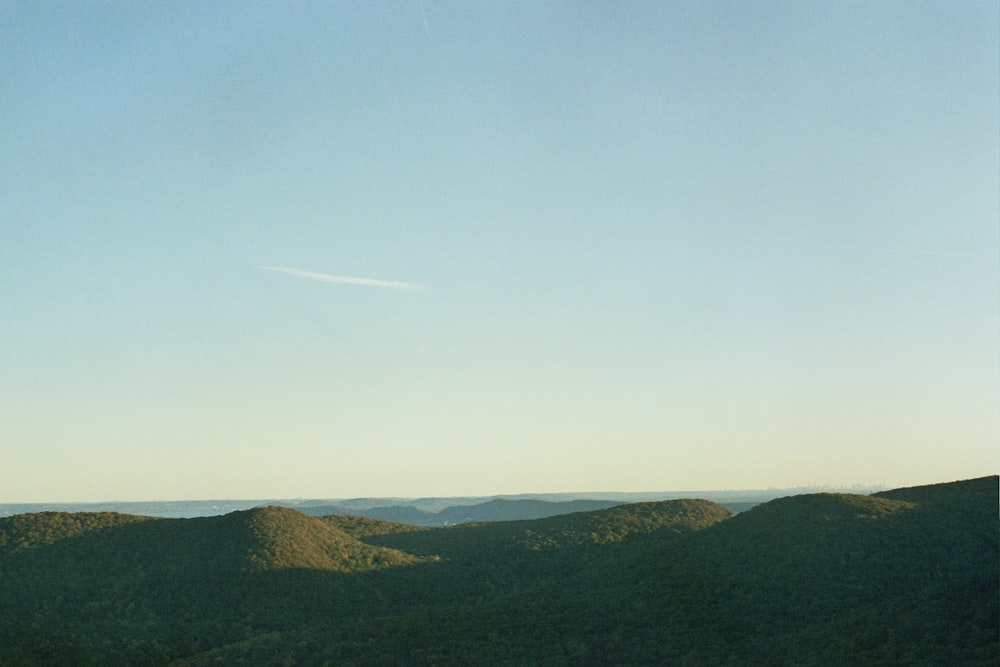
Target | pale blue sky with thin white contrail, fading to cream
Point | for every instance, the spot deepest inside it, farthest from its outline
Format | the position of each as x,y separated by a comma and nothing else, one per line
341,249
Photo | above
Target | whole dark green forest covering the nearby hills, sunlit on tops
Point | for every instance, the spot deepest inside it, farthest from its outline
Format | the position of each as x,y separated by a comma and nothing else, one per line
903,577
